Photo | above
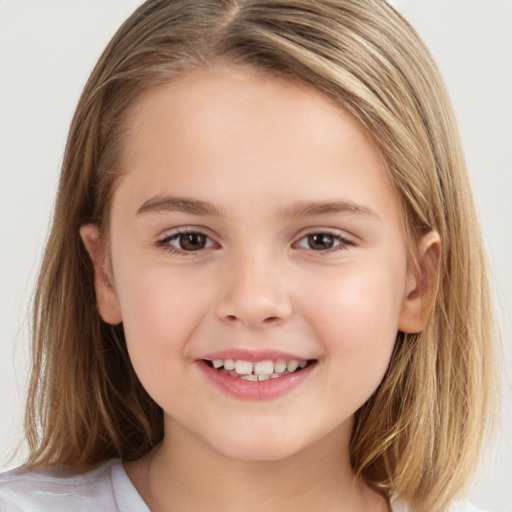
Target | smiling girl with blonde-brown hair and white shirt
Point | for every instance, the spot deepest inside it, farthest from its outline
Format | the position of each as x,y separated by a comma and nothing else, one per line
264,287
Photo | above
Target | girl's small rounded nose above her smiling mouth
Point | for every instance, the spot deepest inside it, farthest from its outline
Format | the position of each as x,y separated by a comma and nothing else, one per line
254,294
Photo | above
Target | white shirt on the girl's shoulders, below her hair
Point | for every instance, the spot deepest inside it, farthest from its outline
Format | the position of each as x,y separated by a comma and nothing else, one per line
106,488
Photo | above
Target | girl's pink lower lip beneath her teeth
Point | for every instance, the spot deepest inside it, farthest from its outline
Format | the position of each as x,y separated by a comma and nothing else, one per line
255,390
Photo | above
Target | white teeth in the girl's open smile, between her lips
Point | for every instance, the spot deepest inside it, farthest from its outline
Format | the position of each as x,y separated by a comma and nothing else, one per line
259,370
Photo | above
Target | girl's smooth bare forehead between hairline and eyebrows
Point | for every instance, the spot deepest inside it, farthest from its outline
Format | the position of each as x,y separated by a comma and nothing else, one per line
220,131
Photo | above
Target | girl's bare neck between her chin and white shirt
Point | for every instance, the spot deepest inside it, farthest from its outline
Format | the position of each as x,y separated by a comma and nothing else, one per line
183,473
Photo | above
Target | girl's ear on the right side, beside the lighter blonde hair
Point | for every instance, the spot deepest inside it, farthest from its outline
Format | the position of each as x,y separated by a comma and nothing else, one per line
420,285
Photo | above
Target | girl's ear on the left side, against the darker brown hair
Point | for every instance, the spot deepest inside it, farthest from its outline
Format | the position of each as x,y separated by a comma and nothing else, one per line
106,295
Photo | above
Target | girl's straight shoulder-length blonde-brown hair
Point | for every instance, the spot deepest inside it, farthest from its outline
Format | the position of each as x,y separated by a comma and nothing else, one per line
419,435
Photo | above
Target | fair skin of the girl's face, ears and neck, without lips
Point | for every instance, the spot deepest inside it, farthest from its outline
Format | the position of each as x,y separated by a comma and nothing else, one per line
255,148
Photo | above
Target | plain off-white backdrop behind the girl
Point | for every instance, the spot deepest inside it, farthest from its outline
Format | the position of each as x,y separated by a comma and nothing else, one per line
47,50
